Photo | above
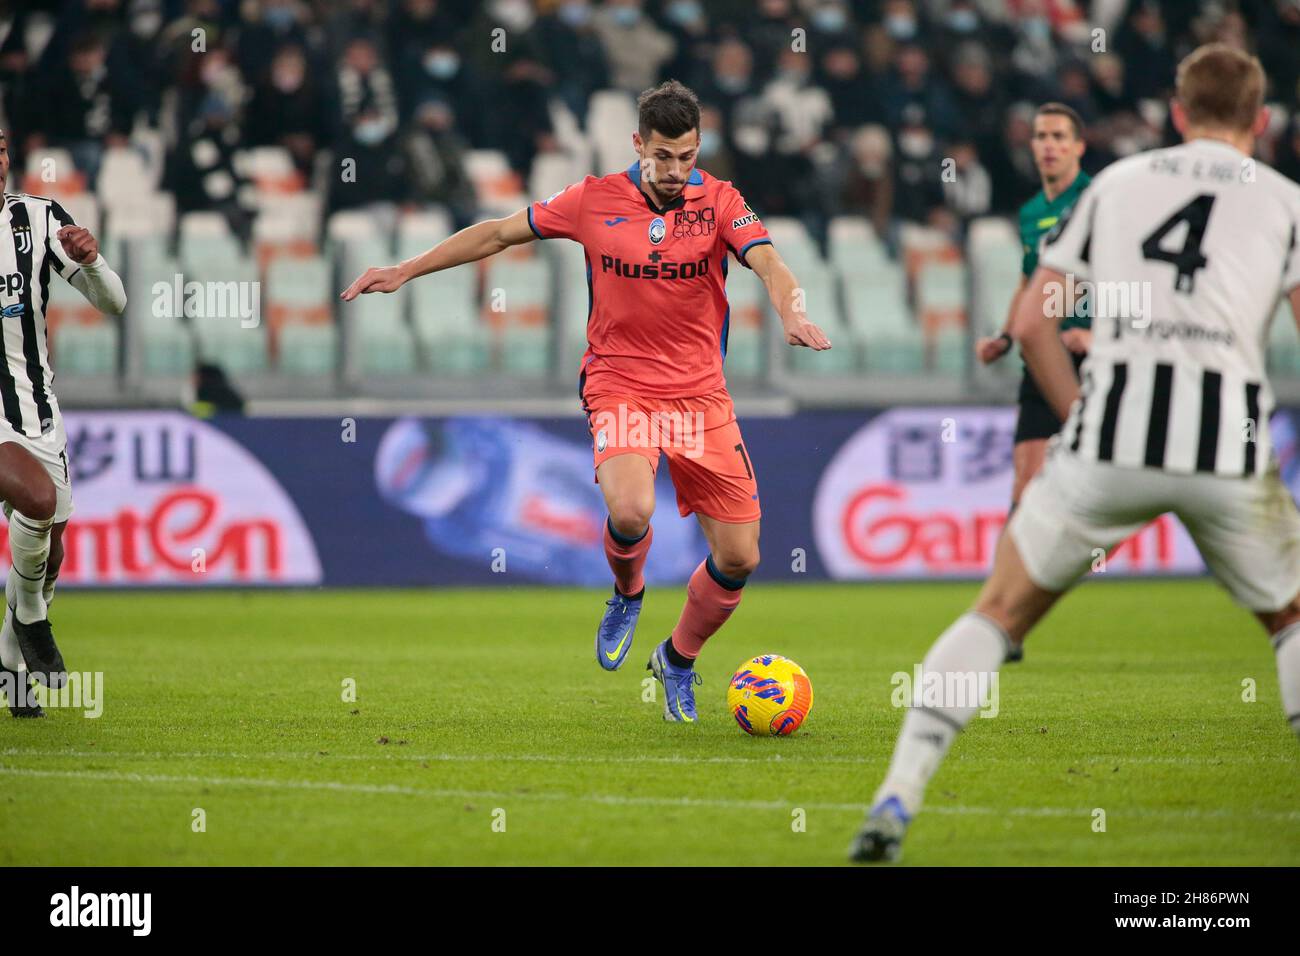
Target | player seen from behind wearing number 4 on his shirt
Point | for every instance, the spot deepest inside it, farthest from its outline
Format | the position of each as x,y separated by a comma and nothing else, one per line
1173,414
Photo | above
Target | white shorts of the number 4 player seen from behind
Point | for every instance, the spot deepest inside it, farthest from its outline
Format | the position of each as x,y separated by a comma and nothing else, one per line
1247,529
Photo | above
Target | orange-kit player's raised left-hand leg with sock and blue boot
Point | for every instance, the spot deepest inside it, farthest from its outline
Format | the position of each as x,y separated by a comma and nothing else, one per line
627,483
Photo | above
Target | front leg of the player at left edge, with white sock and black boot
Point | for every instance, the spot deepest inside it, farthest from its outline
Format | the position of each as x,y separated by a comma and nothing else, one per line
32,500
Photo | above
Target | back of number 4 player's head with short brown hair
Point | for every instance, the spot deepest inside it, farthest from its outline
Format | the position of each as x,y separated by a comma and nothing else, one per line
1221,86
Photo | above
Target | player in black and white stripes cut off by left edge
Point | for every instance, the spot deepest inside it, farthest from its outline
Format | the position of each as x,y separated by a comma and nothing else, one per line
37,237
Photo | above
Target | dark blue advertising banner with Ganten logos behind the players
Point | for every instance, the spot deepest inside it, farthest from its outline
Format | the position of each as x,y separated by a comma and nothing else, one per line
166,500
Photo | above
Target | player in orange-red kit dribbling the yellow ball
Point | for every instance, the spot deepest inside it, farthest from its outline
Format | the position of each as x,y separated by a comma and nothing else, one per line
657,239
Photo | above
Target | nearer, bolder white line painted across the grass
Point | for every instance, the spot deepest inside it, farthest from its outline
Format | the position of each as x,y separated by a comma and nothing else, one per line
610,799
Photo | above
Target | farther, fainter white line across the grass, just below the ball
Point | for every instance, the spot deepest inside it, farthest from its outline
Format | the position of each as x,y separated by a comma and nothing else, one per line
397,755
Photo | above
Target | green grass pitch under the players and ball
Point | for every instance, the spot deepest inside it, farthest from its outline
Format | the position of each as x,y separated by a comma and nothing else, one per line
482,708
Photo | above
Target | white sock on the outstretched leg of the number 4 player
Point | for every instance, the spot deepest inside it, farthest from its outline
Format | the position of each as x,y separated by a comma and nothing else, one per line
972,646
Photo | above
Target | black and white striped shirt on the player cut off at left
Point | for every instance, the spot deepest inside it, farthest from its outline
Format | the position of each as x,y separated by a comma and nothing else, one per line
29,252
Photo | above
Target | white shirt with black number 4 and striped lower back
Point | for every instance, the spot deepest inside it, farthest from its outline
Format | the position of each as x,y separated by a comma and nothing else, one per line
1186,252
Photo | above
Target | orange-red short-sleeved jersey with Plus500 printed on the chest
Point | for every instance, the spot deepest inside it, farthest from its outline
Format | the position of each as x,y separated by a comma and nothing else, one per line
657,314
